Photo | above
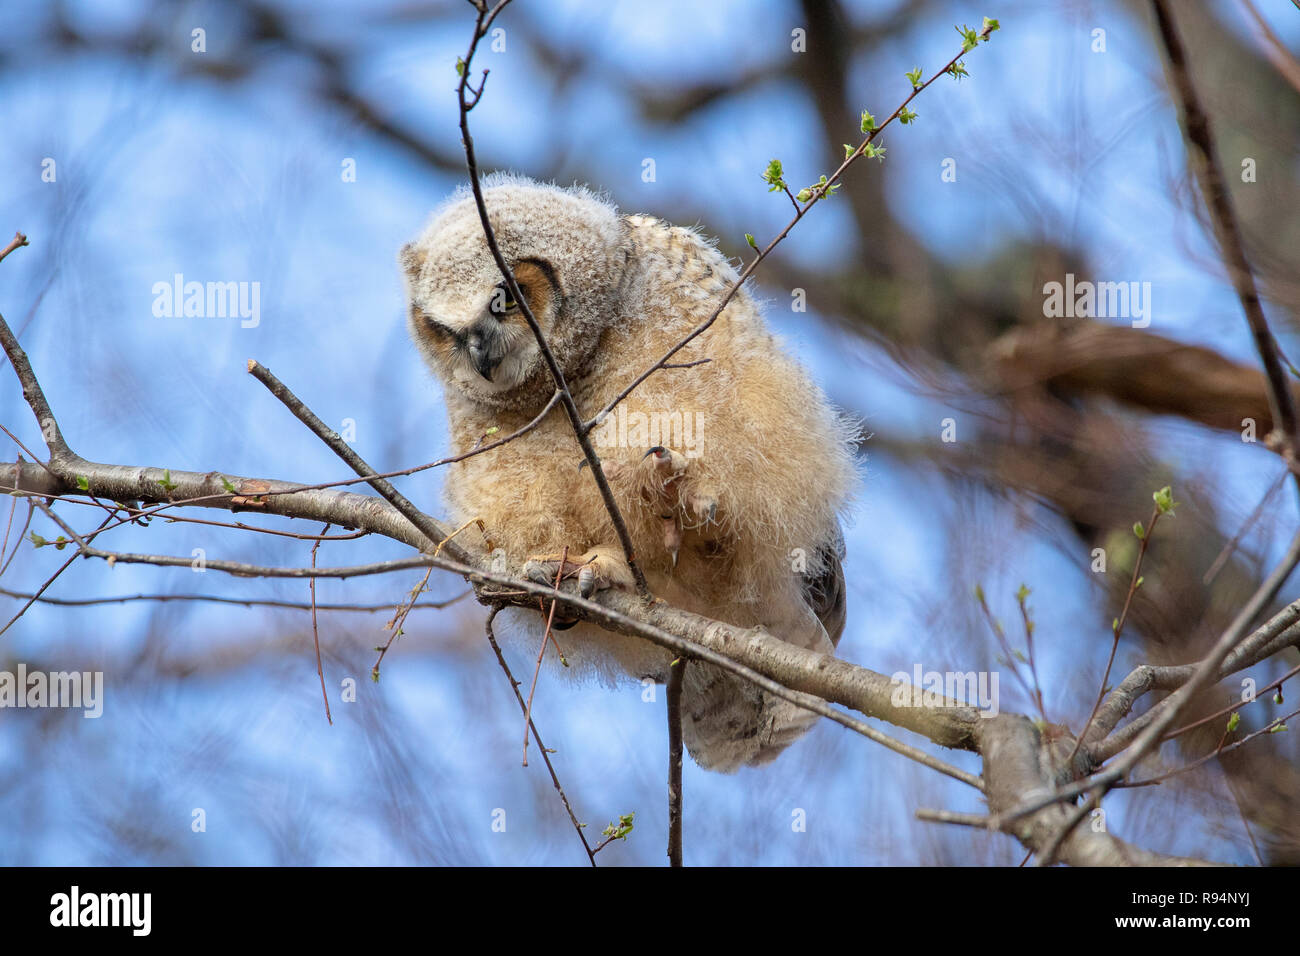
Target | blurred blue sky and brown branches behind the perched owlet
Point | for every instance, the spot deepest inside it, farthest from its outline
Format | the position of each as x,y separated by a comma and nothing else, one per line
310,140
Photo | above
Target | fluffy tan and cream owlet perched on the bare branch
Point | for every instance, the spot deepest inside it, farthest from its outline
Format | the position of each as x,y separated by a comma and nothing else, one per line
733,475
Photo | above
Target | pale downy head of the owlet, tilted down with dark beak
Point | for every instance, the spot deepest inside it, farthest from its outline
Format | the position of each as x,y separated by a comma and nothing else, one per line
567,250
